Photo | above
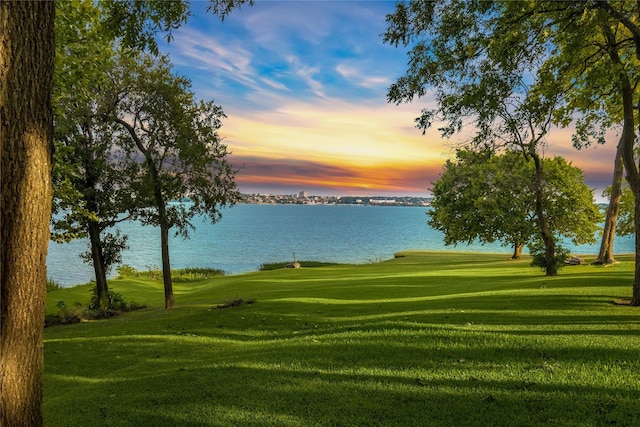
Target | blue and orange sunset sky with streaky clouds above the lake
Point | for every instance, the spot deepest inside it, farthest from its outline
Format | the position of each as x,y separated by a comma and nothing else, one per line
303,85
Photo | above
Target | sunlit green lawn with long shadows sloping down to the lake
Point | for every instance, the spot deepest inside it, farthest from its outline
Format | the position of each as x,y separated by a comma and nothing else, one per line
426,339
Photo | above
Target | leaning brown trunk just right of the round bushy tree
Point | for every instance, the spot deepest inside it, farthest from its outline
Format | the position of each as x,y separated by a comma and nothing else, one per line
605,256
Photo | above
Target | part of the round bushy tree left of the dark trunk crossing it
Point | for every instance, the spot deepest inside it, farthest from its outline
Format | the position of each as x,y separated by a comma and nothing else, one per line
481,196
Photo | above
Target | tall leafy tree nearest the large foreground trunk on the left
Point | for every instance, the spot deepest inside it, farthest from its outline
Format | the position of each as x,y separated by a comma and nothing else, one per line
90,194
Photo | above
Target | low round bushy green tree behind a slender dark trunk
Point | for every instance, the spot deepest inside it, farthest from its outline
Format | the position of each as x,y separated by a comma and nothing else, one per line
491,197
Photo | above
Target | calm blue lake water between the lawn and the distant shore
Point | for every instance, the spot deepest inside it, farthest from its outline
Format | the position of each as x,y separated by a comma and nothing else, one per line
249,235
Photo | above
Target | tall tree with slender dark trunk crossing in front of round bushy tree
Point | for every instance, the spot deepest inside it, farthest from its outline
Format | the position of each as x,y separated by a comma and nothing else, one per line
479,67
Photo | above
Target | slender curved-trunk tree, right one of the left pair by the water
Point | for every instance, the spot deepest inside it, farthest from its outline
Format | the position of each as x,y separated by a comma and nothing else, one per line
173,139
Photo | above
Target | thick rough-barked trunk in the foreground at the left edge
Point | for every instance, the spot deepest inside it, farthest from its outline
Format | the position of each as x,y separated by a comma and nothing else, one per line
26,133
